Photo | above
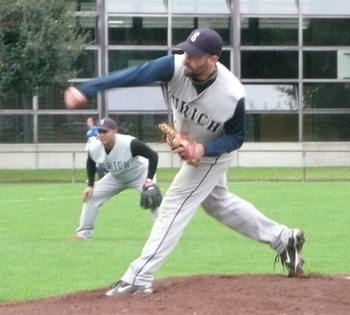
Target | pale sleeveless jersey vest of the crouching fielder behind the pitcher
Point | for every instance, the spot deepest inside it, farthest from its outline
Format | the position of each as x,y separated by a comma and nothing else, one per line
119,162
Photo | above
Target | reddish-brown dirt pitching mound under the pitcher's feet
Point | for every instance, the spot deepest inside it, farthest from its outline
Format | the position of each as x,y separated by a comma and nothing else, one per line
199,295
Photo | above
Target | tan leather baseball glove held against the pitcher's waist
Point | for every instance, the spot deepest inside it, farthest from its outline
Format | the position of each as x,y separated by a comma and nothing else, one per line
175,139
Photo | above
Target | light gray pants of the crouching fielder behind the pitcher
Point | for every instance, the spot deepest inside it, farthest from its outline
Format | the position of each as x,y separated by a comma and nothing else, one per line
104,189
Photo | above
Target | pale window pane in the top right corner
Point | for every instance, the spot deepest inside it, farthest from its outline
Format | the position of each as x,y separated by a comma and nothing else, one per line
326,7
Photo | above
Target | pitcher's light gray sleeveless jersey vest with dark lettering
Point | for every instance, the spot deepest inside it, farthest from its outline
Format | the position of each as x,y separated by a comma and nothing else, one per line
202,116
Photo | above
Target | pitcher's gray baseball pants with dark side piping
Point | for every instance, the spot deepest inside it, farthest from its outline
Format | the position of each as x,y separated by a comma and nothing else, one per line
193,186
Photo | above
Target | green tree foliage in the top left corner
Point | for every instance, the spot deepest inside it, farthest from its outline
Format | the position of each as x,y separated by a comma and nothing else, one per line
39,42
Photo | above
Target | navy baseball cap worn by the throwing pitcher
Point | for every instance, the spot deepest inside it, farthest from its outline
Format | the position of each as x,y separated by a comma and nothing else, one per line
202,41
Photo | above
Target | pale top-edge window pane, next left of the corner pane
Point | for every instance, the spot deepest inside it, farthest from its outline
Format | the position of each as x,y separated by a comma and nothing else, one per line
269,6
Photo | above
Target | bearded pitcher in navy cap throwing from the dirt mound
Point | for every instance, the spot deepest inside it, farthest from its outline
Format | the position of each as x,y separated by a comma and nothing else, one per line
208,107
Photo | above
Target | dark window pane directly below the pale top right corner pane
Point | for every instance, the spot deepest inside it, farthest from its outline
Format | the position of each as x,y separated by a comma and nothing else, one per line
326,32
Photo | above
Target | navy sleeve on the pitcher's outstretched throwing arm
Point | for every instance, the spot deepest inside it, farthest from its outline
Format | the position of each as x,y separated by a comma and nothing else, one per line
161,69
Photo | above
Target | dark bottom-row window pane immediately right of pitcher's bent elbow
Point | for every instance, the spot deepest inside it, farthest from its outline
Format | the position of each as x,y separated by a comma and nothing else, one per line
271,127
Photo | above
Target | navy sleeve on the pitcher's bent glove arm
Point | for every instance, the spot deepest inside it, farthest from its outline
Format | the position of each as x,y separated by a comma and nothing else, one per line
234,134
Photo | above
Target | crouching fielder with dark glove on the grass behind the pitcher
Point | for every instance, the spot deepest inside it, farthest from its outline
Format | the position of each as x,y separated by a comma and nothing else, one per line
130,164
